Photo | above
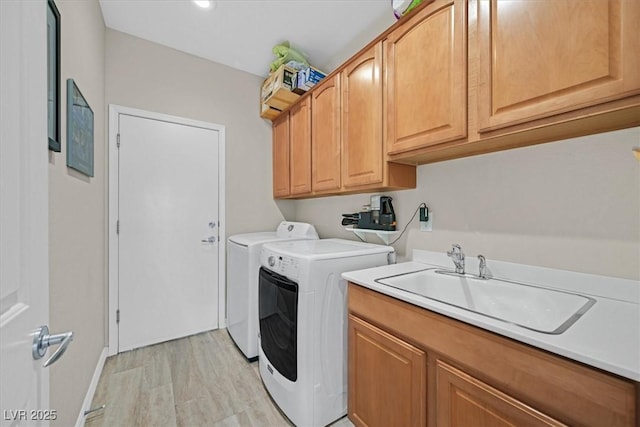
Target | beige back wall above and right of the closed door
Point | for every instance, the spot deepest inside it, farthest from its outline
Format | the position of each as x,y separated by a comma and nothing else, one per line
148,76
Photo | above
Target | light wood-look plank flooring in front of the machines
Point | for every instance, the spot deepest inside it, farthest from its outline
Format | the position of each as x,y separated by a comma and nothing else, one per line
201,380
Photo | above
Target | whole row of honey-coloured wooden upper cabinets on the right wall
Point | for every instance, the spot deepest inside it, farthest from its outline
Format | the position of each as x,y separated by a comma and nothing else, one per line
464,77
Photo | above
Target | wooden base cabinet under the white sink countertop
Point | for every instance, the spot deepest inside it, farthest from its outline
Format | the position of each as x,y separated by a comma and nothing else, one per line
409,366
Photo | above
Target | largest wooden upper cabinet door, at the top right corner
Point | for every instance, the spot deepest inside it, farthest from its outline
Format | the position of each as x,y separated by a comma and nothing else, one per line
540,58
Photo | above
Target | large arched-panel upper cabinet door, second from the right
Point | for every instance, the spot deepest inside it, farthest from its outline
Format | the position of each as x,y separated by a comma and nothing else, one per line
426,78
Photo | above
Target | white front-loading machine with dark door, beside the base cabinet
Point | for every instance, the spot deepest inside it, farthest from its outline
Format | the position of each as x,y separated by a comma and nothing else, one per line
303,323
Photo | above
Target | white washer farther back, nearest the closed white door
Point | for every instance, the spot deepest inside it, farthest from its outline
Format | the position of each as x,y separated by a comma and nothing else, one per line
243,263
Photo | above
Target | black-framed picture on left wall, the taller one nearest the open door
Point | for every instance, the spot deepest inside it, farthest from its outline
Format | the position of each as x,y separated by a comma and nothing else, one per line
53,76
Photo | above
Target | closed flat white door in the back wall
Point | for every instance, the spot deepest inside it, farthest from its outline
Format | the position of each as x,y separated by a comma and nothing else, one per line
168,230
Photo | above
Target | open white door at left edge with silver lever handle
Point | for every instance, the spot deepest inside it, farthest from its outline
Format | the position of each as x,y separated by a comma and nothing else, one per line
24,269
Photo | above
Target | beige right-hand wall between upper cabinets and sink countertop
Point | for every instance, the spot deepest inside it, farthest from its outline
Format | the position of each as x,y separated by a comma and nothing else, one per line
572,205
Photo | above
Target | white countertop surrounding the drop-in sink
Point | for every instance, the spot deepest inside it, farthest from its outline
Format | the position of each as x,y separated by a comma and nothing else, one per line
607,336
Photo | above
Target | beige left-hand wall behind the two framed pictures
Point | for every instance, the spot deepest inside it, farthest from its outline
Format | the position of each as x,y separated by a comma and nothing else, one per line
77,218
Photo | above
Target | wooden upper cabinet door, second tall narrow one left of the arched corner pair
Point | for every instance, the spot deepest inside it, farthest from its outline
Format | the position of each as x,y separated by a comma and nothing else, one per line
362,147
